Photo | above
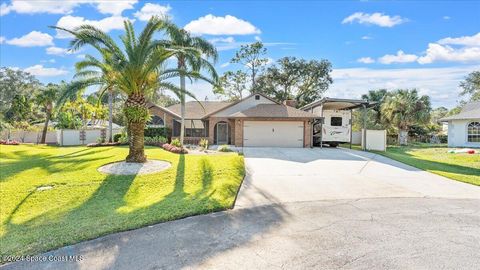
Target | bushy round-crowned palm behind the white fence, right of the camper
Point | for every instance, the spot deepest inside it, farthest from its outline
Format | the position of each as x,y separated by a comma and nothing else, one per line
403,109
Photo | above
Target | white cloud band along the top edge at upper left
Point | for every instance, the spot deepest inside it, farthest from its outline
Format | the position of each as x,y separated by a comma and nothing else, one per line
64,7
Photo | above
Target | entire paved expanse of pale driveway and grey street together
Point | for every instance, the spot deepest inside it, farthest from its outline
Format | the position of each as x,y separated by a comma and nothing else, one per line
307,209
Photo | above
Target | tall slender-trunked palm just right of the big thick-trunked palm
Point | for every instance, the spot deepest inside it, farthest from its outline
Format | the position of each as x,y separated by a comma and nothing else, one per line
193,55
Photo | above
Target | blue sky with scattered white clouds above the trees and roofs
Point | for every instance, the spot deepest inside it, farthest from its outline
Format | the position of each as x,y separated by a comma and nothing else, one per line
372,44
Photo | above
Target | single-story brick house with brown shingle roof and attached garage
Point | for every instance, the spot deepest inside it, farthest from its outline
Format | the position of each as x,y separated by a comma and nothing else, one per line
256,120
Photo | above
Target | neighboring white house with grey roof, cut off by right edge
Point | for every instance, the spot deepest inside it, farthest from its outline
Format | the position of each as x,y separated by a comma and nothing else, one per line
464,128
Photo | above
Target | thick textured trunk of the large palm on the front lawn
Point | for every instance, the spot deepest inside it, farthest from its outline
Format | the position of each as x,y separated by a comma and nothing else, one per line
136,129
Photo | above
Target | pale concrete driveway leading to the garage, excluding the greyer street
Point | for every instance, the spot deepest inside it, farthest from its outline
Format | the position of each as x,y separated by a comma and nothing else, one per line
280,175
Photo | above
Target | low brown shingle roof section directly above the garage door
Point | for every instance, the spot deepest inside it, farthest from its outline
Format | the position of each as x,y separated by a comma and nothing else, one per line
273,111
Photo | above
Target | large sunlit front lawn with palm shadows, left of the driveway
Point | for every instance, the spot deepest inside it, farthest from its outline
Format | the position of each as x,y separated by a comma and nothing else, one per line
85,204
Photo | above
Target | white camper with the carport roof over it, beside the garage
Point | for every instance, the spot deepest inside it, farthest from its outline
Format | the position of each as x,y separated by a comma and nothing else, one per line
335,124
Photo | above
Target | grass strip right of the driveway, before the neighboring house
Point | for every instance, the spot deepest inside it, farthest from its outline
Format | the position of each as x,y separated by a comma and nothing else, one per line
436,159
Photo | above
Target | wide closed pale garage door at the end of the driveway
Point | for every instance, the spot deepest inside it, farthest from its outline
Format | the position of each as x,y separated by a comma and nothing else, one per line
273,133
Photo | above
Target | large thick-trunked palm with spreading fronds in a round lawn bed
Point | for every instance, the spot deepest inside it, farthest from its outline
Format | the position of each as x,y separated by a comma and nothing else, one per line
137,70
